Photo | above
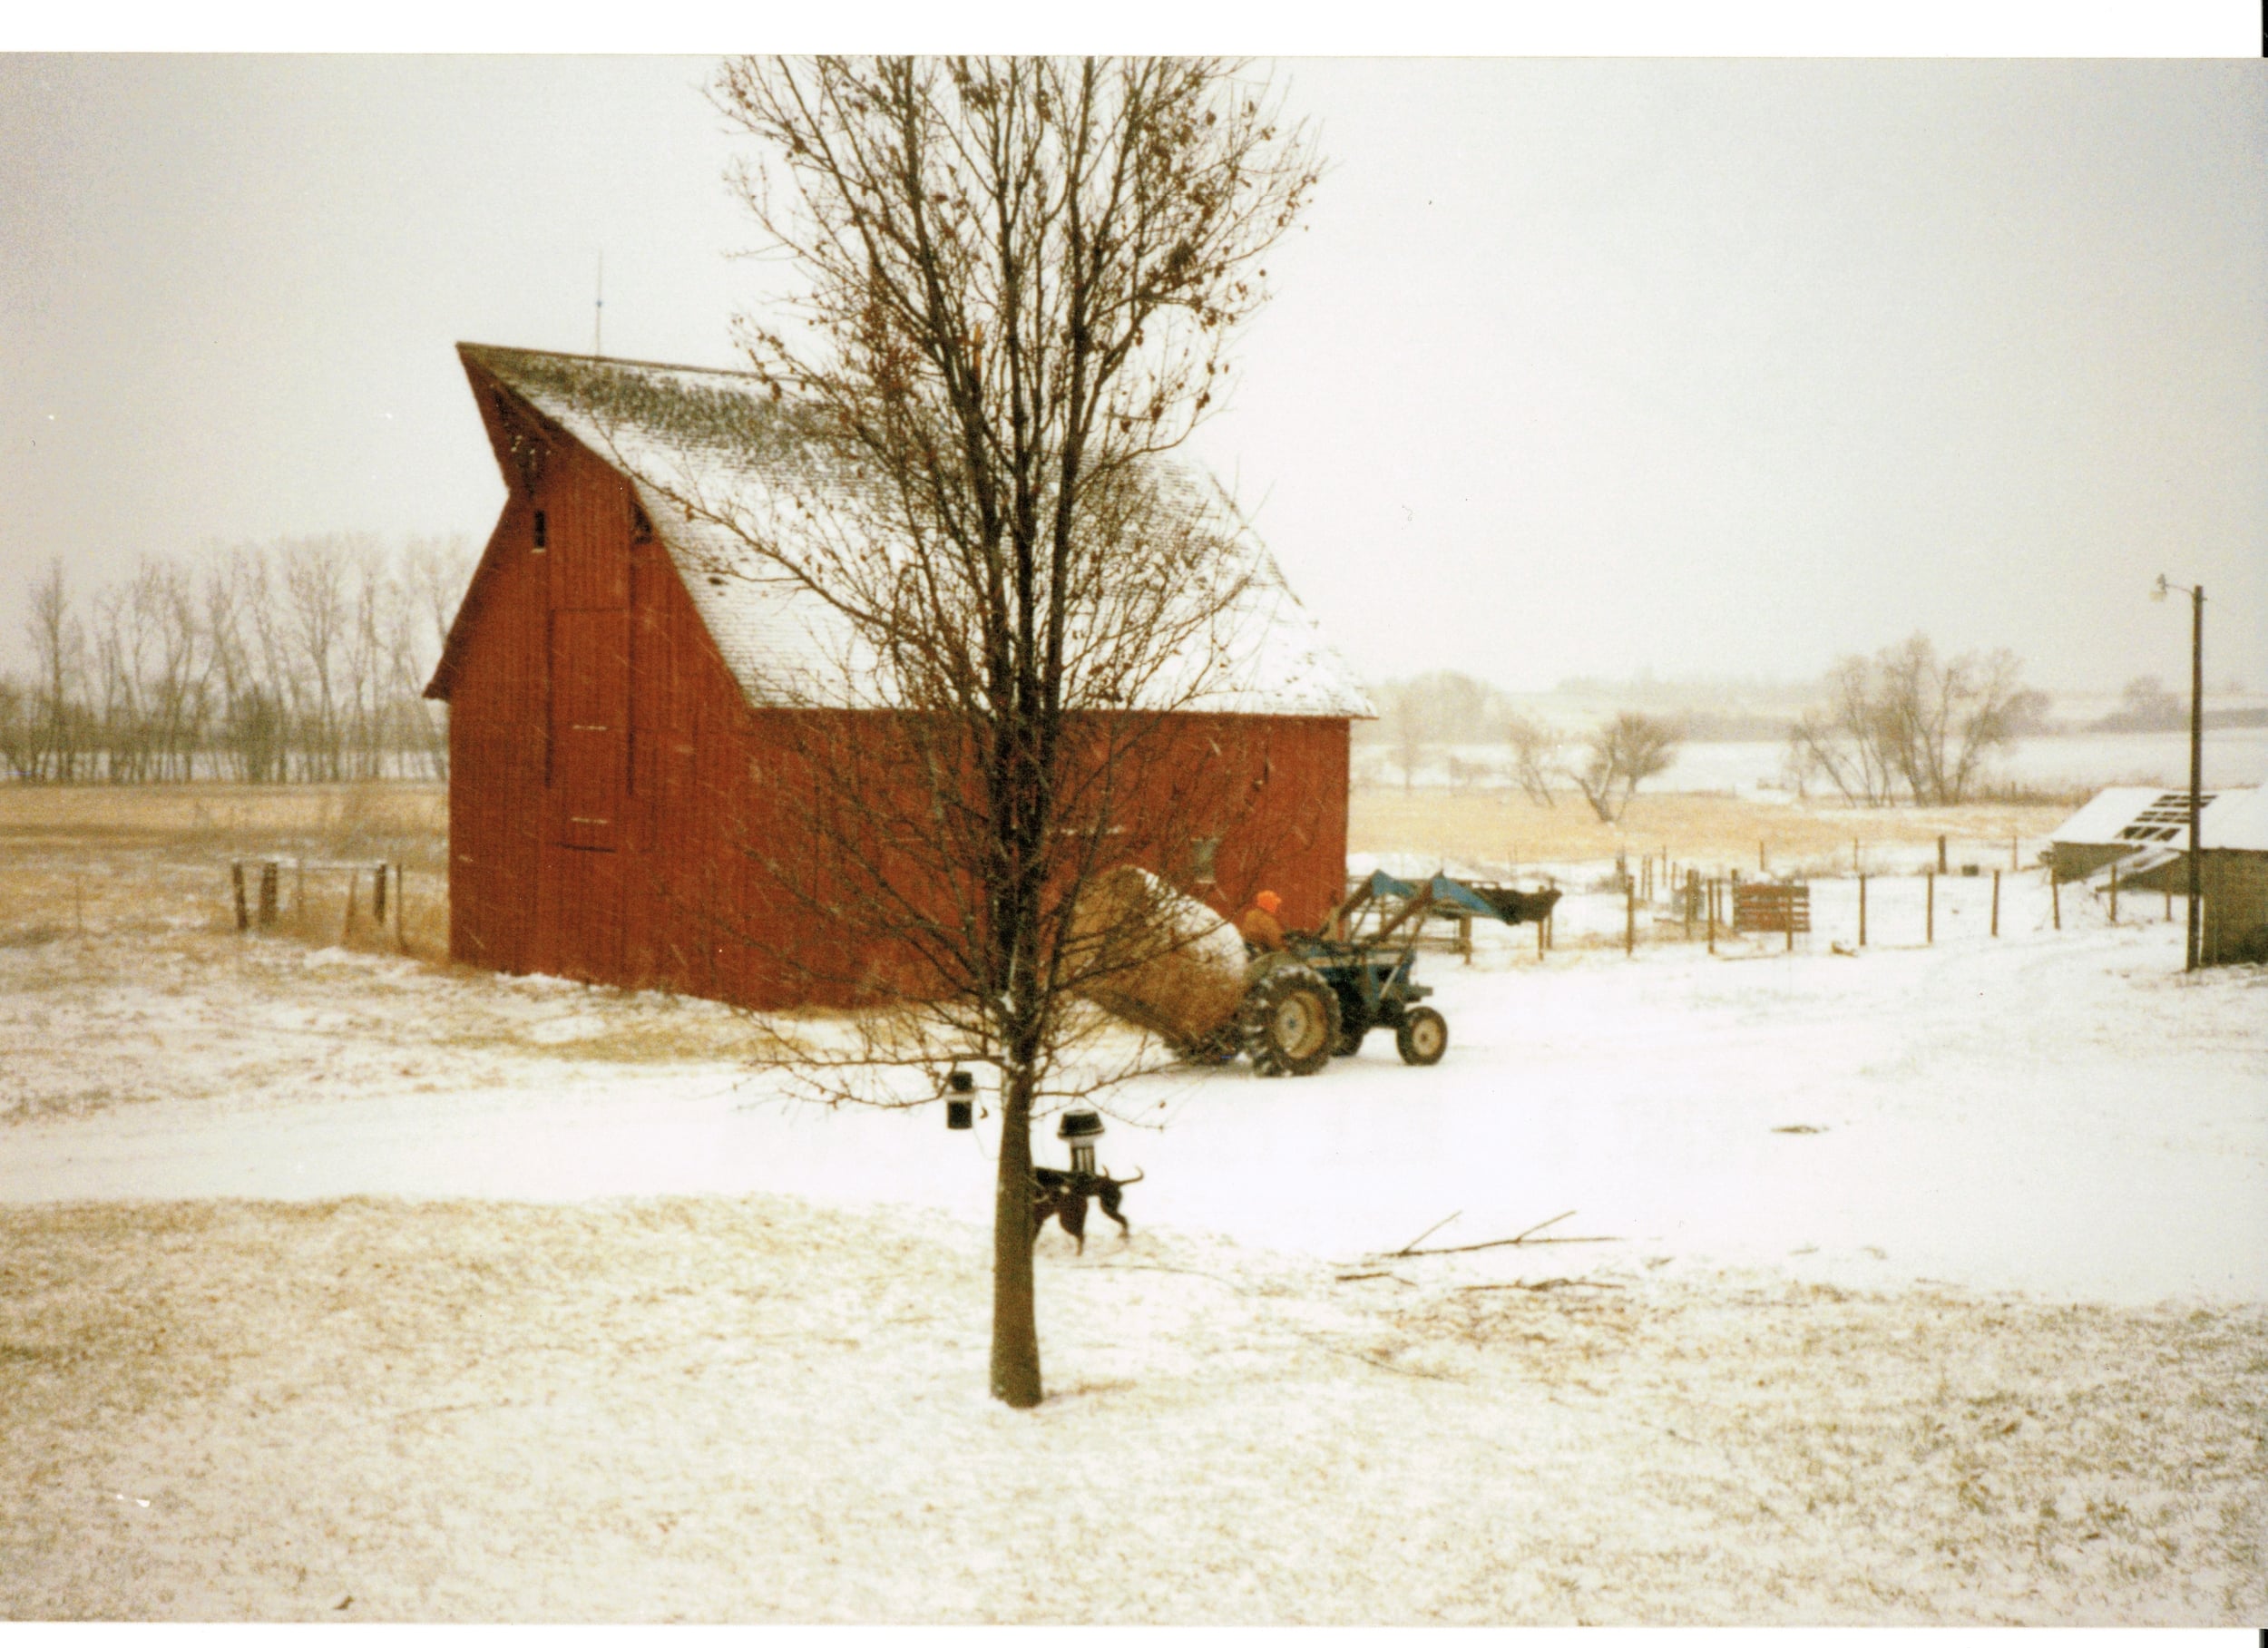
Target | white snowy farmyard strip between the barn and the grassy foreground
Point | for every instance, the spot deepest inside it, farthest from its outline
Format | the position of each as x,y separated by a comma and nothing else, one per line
2056,1112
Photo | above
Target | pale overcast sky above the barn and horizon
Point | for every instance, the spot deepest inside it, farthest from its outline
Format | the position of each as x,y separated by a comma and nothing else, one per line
1709,368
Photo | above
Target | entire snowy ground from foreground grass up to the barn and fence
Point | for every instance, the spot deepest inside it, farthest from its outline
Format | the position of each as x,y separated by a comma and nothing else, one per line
1922,1284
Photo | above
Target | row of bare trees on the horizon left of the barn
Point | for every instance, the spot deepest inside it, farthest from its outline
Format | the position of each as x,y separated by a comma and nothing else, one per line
294,661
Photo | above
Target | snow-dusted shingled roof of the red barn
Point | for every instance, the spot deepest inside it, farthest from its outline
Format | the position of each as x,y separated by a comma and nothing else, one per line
716,461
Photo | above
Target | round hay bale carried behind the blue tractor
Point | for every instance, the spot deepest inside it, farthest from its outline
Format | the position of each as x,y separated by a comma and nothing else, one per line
1158,958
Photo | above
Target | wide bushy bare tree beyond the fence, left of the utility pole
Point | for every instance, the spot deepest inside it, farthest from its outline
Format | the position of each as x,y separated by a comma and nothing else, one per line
1918,722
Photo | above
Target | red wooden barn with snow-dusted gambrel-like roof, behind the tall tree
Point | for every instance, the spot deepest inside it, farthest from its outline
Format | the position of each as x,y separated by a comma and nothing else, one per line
613,704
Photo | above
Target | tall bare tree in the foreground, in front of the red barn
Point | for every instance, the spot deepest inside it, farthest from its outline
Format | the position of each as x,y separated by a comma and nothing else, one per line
1017,282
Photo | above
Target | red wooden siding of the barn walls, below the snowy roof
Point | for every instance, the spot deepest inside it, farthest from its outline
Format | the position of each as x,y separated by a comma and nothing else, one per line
620,815
